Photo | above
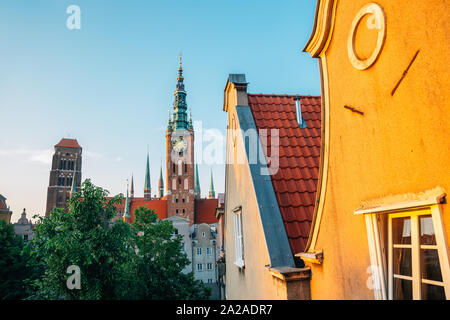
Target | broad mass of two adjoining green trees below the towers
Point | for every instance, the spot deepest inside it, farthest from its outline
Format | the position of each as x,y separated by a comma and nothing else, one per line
116,260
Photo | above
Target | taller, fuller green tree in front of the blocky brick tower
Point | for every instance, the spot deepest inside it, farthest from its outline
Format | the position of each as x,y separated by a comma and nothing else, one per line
84,237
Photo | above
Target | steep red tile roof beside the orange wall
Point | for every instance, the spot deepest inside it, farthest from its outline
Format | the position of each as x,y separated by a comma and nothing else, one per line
295,183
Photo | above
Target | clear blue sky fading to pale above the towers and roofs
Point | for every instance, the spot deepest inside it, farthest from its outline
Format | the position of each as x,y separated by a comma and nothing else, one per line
110,84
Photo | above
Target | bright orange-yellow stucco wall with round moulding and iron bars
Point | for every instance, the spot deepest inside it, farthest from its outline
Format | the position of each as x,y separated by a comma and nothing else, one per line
400,144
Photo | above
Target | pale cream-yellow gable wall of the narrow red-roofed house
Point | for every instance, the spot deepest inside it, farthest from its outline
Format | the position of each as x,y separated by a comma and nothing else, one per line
254,281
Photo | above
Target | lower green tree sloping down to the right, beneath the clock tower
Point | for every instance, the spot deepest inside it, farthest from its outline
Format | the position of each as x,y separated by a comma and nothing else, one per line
160,261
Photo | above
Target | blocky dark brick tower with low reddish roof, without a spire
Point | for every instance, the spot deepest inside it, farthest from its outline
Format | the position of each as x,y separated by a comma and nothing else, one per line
66,162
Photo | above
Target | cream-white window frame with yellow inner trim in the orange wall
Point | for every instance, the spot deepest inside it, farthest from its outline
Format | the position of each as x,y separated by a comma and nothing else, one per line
380,256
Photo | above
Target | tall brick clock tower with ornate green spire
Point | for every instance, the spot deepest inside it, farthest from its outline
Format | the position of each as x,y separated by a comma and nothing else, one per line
180,156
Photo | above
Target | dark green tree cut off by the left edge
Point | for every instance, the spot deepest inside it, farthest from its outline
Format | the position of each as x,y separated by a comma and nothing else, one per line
14,268
